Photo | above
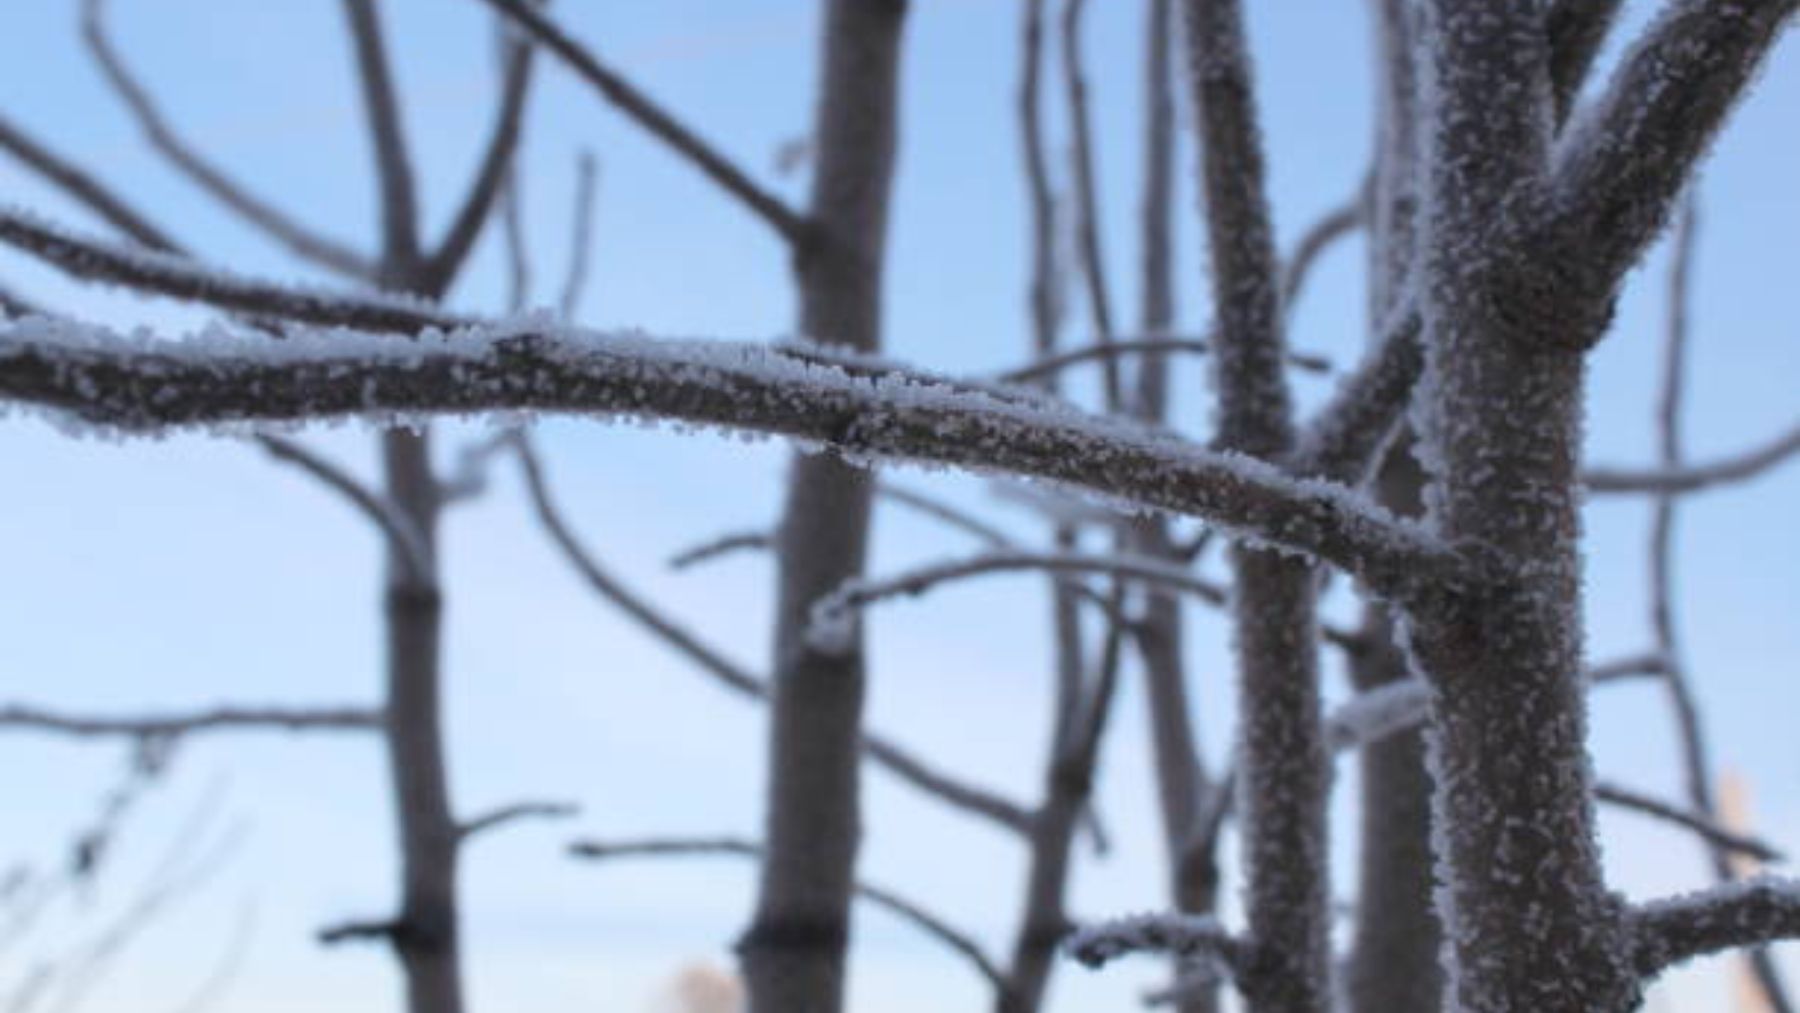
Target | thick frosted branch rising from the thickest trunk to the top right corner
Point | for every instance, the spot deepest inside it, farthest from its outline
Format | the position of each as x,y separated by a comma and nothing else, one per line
1623,165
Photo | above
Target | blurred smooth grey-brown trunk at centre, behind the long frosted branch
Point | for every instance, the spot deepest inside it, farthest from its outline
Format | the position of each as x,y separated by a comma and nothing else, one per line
795,949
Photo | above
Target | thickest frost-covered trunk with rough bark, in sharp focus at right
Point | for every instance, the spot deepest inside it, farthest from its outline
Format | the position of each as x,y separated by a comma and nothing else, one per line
1529,922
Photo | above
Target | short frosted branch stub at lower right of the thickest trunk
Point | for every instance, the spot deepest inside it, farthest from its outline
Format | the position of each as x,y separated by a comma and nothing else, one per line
1747,913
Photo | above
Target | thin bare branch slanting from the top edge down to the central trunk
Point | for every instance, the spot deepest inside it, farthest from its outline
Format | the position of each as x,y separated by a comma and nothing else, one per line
636,105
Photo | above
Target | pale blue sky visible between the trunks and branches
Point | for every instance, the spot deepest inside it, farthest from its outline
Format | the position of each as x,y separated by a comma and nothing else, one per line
192,571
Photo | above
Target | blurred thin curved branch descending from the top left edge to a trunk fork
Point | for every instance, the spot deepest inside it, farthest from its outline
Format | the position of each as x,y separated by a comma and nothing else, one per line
274,224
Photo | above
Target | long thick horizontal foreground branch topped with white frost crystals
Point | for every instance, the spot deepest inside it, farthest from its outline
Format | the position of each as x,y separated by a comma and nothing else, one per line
870,413
